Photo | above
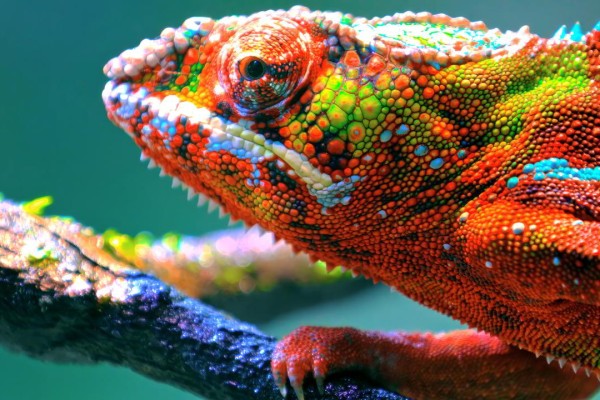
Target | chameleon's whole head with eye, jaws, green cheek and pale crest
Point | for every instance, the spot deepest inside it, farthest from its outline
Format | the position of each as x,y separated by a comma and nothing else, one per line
314,125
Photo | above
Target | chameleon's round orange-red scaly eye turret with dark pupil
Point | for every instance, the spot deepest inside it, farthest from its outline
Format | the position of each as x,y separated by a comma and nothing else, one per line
265,64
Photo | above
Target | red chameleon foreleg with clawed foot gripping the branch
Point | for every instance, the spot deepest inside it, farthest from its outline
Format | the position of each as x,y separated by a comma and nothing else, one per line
460,364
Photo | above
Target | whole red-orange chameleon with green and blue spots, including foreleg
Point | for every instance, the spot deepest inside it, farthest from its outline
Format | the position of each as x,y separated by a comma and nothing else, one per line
457,164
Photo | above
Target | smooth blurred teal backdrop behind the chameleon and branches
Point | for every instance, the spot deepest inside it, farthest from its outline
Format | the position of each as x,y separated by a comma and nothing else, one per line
55,139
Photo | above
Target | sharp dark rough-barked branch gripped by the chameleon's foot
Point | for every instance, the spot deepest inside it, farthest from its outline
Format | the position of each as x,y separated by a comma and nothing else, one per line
64,299
